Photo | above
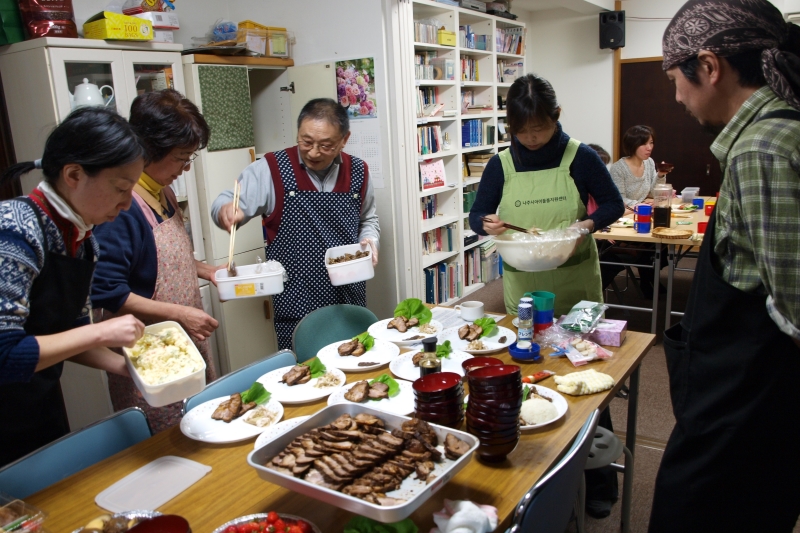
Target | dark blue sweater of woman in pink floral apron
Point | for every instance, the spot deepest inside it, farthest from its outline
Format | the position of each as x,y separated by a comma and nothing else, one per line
128,260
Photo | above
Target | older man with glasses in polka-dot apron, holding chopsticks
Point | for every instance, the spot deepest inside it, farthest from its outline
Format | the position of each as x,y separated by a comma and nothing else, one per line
311,197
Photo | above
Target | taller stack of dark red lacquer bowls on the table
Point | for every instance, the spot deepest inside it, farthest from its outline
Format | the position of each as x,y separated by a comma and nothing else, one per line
495,399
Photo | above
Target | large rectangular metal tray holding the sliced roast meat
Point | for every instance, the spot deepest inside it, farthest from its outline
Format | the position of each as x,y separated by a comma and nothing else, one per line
414,491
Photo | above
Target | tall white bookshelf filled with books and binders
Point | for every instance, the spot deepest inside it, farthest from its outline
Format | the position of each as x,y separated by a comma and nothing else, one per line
485,54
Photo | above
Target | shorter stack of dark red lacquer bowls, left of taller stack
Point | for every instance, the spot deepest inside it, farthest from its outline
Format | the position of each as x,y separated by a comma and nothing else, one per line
439,399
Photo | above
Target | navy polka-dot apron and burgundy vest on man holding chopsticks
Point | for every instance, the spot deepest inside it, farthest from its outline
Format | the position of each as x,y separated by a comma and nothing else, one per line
308,222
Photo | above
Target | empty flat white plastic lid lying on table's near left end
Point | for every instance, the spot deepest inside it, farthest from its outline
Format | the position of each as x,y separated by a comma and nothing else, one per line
152,485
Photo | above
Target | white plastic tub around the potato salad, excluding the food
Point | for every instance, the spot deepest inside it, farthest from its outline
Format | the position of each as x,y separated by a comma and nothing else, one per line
171,391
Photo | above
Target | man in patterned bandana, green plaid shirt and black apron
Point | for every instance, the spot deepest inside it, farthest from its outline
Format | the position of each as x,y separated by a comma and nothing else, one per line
732,462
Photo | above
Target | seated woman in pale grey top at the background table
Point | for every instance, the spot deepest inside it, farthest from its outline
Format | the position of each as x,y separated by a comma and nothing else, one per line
635,174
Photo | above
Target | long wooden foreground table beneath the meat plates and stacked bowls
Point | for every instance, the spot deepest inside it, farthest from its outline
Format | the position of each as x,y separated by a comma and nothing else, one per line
233,488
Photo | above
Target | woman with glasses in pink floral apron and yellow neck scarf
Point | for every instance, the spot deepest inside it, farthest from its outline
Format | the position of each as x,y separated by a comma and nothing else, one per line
147,267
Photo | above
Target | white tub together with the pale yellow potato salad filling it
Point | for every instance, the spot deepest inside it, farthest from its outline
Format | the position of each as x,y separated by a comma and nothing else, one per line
165,364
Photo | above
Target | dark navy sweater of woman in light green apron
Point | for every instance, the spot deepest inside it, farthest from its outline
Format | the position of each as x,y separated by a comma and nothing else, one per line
590,174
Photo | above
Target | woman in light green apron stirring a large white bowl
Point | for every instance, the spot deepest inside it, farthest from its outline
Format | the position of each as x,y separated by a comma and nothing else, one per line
546,179
